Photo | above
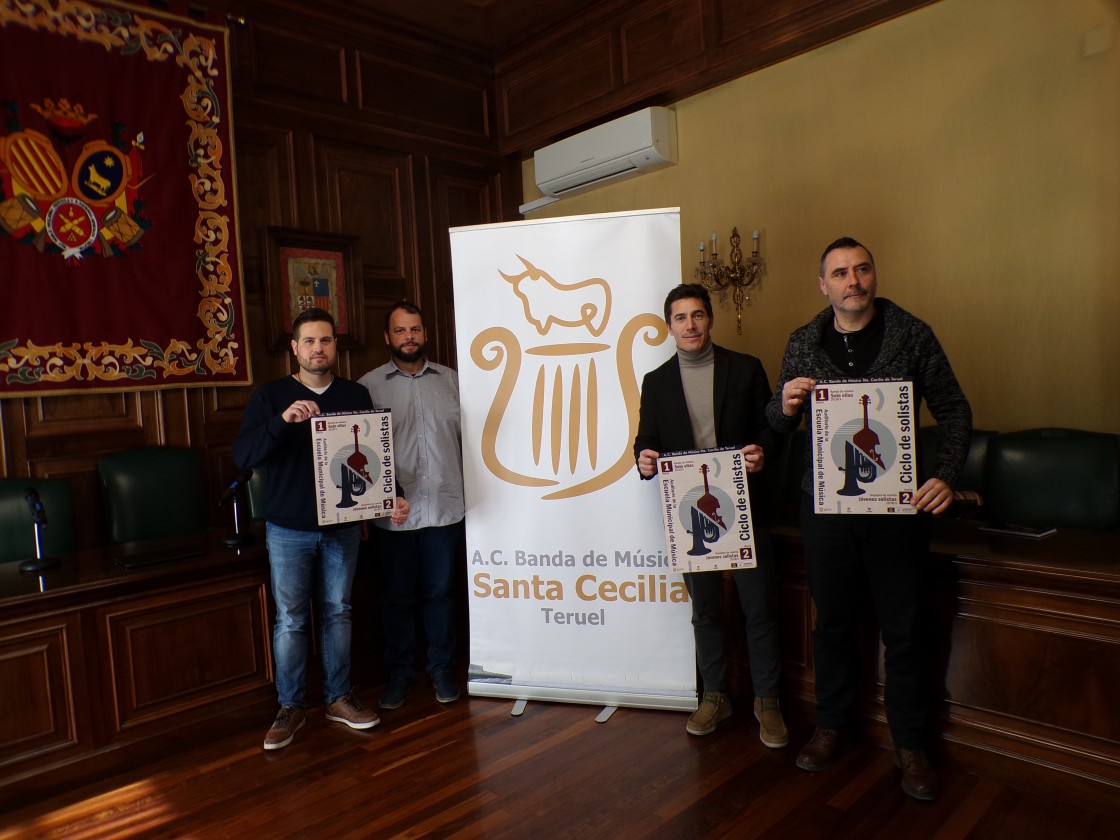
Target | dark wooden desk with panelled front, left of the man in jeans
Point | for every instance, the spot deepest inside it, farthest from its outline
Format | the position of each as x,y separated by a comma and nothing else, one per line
105,668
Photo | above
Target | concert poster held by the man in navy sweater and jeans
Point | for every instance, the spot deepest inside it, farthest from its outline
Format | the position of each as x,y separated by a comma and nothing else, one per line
354,474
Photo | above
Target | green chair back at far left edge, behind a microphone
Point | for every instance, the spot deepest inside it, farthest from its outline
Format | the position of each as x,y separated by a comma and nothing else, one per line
17,526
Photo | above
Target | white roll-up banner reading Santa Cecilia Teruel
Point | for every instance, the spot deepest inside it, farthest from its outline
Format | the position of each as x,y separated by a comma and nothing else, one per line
571,593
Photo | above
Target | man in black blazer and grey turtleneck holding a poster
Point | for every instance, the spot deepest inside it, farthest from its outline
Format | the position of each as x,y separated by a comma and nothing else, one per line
706,397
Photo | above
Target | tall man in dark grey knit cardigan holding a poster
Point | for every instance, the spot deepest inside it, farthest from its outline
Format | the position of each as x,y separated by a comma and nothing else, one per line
861,337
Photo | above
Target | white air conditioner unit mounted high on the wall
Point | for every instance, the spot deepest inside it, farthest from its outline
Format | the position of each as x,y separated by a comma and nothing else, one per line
631,145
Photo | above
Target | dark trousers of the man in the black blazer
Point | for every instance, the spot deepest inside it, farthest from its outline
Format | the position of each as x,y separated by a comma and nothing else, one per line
757,590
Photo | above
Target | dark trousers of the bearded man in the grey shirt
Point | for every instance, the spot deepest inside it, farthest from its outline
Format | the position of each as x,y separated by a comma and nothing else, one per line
418,568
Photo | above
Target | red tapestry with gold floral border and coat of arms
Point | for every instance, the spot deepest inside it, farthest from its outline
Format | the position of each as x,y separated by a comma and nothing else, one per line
118,227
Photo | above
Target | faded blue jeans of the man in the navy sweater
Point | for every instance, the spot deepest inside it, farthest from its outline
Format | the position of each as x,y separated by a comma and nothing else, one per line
305,564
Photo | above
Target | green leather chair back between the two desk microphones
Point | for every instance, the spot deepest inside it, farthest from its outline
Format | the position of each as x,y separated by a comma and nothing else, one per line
154,493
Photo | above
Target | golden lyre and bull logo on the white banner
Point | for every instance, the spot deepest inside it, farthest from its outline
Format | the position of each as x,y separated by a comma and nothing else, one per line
581,398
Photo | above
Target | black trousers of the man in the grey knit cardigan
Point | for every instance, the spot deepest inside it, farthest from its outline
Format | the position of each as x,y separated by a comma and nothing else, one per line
845,556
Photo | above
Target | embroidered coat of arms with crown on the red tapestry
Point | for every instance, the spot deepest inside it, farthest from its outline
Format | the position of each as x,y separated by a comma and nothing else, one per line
89,203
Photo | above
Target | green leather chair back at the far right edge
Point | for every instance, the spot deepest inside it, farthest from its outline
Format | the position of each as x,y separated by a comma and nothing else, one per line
1054,478
